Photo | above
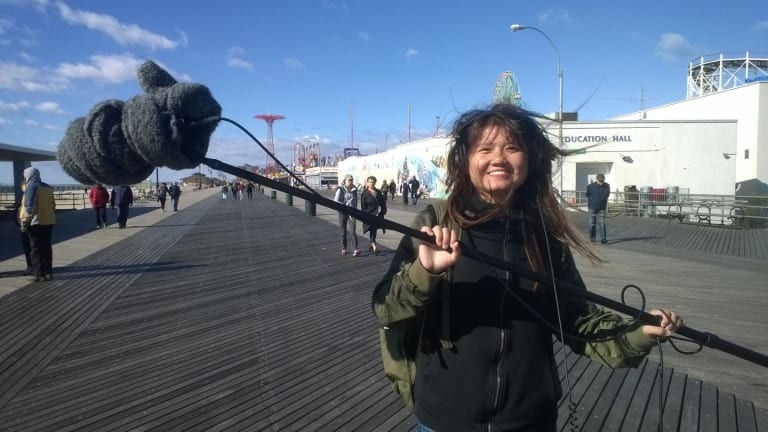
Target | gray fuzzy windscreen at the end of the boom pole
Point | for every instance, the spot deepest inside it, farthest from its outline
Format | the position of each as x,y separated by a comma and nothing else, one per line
121,142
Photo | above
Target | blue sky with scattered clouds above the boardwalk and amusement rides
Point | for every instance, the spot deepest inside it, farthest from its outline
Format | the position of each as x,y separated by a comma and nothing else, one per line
321,63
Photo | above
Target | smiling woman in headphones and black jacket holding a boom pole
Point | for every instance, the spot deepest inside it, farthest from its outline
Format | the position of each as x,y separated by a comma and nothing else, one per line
492,367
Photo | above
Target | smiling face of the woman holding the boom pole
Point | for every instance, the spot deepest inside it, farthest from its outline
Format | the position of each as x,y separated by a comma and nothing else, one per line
498,166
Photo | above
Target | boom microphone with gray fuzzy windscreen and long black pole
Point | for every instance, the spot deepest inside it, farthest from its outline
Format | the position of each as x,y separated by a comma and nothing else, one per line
171,125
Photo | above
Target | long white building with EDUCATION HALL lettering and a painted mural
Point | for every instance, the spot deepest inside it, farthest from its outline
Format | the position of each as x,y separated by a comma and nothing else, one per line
705,144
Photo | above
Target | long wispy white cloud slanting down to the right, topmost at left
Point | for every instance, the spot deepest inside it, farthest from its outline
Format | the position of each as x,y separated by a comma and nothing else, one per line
124,34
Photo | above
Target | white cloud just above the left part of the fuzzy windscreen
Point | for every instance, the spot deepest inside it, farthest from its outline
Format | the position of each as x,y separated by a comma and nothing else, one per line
113,69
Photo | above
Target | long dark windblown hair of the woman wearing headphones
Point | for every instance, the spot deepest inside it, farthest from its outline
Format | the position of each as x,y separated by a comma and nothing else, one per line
535,200
